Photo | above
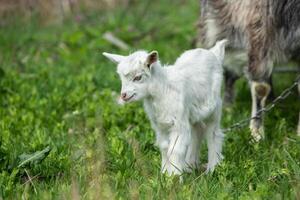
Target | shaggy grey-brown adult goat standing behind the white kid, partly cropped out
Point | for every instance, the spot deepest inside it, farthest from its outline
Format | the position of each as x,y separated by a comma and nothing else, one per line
260,32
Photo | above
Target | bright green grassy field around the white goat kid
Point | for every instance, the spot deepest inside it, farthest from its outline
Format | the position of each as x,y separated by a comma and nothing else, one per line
63,136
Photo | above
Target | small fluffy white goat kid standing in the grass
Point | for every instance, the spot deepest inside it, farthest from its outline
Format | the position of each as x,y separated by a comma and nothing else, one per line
183,102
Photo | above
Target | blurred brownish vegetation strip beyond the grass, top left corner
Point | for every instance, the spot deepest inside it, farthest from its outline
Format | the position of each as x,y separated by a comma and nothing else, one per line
53,11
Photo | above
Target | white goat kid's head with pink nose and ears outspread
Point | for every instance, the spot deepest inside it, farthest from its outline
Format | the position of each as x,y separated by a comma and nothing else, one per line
135,73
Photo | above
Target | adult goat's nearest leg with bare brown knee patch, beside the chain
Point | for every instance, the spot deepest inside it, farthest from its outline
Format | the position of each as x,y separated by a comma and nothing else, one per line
259,69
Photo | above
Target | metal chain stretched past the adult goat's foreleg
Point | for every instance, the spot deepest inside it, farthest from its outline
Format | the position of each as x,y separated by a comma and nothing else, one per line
266,109
